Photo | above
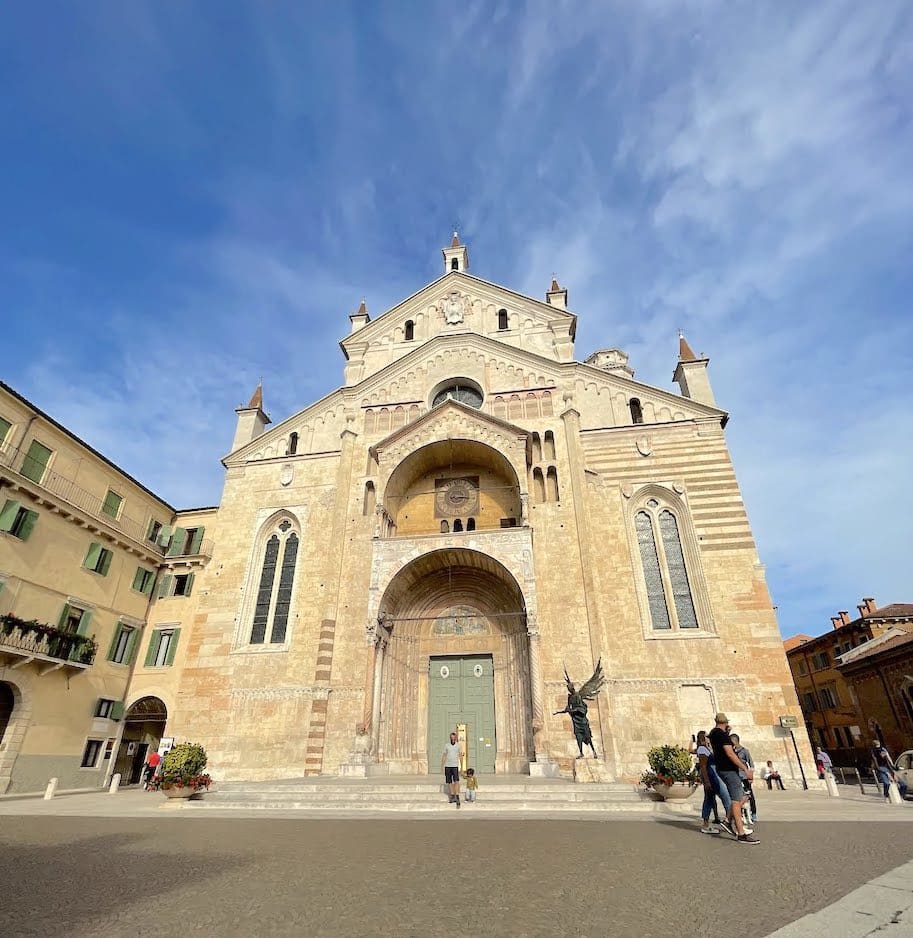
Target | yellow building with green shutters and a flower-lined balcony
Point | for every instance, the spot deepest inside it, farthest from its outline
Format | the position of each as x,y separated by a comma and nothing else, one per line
83,549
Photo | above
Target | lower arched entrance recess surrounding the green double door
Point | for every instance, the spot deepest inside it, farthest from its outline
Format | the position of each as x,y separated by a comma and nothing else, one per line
457,655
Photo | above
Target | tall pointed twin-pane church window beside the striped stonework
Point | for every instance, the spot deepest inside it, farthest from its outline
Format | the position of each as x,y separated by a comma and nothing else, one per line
668,582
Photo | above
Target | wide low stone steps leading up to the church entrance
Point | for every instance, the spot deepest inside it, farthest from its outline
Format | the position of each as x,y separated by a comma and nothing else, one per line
425,795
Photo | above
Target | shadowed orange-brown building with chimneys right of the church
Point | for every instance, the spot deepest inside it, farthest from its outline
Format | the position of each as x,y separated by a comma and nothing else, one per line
830,699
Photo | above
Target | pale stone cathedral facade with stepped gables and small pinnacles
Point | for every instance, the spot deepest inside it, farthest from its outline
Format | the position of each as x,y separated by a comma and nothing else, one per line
432,544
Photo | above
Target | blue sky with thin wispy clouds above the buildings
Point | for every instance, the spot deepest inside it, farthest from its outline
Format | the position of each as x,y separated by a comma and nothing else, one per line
197,194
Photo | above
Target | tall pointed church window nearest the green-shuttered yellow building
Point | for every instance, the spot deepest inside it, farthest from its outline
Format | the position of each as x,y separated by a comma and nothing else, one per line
278,557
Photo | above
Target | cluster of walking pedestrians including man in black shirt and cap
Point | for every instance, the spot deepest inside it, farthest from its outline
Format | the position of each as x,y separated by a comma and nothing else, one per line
727,773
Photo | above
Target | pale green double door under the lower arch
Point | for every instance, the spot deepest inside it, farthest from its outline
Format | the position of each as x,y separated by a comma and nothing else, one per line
462,692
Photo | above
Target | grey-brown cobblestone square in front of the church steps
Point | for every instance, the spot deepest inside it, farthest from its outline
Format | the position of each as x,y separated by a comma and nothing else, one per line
651,877
